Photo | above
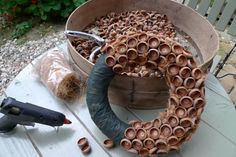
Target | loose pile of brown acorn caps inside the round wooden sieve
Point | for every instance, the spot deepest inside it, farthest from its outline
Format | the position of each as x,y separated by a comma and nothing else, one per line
113,25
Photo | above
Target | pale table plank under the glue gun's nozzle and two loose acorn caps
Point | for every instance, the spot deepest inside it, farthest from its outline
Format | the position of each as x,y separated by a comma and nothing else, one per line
47,140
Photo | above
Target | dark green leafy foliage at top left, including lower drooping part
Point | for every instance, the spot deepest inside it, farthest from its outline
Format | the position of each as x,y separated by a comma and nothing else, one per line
43,10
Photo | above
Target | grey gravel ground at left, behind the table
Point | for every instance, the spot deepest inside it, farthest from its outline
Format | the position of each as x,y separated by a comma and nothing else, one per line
14,57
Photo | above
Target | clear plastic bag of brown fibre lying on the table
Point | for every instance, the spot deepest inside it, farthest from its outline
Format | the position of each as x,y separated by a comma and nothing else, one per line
57,75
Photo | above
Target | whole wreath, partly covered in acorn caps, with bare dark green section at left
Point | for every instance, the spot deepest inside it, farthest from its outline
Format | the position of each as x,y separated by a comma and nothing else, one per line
159,56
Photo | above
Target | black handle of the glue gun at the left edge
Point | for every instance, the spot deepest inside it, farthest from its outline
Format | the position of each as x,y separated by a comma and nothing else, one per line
6,124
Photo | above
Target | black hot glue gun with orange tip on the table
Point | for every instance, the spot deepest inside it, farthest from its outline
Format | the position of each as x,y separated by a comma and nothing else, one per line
16,112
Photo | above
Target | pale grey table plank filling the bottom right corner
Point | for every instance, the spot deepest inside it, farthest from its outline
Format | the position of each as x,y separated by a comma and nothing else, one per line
208,143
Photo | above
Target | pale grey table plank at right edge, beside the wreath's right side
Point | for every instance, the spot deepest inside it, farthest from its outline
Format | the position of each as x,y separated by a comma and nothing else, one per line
220,114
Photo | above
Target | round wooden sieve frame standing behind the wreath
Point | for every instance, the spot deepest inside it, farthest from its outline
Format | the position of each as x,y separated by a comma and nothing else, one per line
143,93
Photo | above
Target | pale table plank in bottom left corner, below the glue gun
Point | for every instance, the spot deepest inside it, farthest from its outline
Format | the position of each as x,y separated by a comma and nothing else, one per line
17,143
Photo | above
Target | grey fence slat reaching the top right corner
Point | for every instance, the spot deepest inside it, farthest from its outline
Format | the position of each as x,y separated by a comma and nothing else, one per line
226,15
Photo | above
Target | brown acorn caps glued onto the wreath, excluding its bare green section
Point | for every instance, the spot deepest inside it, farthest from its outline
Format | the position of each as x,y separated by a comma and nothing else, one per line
143,54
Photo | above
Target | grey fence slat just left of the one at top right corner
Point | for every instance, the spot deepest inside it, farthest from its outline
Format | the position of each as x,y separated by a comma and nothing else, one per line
215,10
